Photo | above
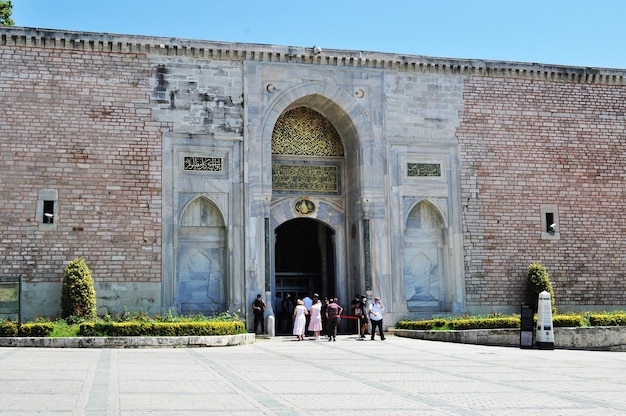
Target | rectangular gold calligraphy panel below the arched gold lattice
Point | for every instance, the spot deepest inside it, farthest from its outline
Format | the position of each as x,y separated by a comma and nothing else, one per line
305,178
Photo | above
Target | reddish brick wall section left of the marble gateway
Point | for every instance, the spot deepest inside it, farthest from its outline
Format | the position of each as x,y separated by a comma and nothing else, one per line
79,123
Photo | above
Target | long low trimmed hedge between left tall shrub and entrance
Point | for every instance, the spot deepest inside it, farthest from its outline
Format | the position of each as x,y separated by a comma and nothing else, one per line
162,329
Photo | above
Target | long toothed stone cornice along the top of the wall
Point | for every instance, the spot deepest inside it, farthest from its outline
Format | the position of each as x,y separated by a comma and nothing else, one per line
234,51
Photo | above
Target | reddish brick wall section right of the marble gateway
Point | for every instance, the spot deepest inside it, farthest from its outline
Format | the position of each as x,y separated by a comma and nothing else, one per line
526,143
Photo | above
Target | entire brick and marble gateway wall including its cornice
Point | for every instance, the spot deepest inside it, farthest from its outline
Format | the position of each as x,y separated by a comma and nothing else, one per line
192,175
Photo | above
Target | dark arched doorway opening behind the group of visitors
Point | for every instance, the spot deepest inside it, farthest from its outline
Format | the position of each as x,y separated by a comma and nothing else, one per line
304,264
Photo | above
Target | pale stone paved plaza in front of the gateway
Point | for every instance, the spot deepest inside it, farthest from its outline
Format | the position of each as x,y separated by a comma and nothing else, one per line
281,376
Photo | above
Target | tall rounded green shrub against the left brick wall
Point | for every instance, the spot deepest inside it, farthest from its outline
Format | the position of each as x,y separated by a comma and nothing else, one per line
78,297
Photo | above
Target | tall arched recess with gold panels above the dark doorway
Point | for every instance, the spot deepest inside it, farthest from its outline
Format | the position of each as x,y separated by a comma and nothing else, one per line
307,169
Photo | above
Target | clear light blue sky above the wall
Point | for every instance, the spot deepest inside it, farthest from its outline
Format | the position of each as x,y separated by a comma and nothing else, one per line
589,33
